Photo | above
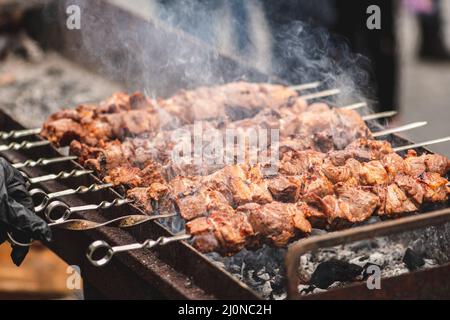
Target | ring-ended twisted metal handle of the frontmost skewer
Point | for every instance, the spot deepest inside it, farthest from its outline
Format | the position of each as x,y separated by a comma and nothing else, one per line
111,251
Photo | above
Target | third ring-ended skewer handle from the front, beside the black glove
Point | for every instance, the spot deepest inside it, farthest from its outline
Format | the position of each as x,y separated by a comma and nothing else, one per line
41,198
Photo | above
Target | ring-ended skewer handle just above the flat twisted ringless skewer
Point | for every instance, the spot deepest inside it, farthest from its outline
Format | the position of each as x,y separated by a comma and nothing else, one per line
58,211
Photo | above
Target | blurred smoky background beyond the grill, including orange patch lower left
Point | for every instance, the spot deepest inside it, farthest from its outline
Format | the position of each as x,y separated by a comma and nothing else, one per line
404,66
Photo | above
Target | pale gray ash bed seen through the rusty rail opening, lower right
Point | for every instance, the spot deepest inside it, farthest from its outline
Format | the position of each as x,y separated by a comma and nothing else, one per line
431,245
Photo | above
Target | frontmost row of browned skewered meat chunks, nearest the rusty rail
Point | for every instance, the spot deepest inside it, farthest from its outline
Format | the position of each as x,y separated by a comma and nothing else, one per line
276,223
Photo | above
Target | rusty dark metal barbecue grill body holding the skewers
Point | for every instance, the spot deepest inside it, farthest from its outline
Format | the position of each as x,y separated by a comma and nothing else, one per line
180,271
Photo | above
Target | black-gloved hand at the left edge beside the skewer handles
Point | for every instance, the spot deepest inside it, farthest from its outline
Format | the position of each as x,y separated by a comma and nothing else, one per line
17,212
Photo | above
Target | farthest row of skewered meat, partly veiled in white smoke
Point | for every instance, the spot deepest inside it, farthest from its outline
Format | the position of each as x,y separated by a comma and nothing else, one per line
124,115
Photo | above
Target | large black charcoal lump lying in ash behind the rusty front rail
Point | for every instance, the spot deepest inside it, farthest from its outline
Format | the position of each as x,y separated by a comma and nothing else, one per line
331,271
